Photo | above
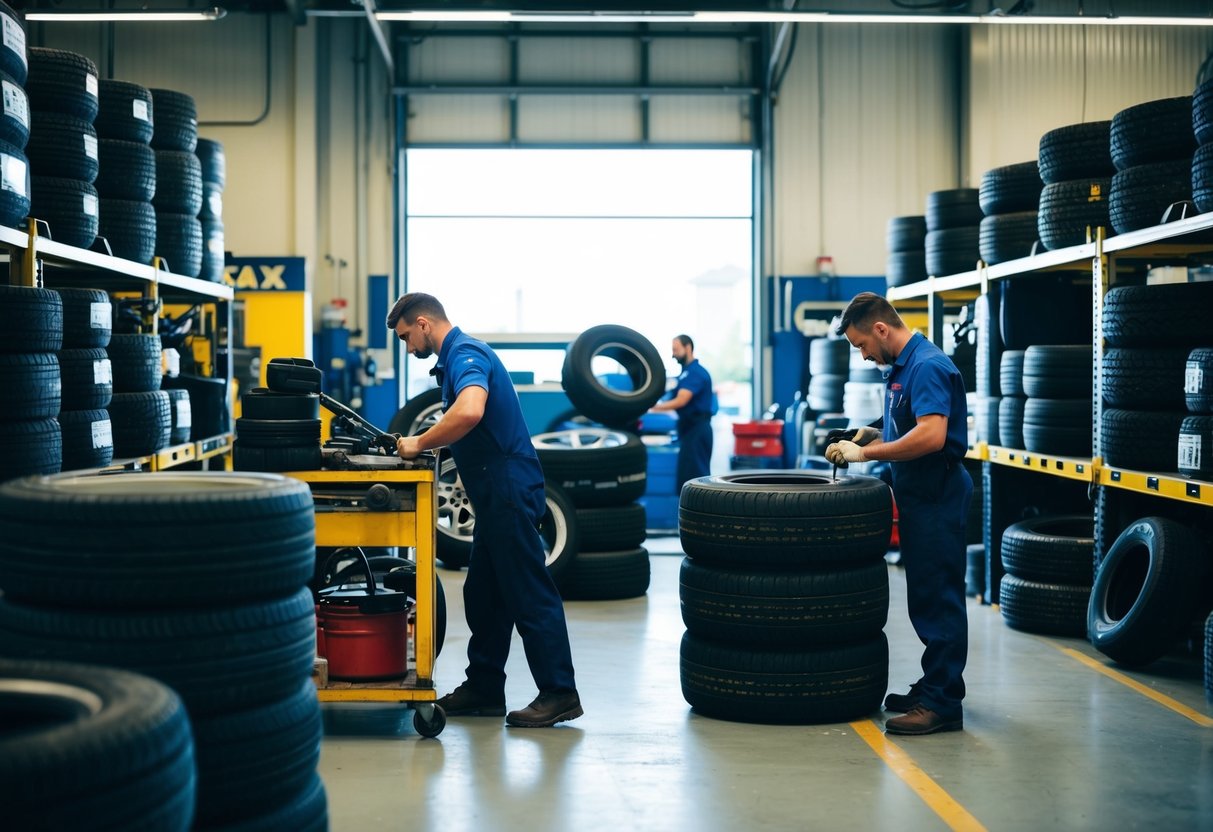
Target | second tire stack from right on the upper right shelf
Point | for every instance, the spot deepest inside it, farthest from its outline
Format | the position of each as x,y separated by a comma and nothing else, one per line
1152,146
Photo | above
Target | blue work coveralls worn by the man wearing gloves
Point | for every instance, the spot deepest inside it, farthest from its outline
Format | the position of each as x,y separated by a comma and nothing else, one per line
933,497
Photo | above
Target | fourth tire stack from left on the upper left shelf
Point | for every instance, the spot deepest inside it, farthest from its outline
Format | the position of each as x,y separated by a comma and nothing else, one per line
179,176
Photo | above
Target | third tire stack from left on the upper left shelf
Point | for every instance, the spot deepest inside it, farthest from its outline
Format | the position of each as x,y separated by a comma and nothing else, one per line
127,181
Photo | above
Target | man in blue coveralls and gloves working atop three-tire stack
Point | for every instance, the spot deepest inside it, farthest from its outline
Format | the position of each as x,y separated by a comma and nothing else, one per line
925,437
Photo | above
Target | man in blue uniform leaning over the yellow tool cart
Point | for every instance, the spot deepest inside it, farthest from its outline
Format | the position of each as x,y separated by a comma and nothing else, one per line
508,582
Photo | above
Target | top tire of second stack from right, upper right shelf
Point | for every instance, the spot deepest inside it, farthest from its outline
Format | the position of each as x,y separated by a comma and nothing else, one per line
1153,132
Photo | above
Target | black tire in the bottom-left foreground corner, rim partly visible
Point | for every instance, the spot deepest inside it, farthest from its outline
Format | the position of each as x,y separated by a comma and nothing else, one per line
98,749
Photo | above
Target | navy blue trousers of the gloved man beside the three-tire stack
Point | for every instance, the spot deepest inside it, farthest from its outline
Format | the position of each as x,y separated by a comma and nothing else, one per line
932,529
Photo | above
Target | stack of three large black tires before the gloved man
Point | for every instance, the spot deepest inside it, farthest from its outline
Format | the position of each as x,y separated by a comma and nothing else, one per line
785,595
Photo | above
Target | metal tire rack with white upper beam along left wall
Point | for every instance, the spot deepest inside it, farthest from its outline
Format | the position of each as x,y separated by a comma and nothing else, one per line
29,258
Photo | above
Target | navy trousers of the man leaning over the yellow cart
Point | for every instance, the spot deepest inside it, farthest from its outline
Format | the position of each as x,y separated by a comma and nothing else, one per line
509,585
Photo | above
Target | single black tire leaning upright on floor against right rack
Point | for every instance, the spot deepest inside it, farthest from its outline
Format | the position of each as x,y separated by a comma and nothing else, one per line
1147,591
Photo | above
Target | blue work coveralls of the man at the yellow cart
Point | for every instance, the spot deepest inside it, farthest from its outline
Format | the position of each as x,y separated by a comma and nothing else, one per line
508,582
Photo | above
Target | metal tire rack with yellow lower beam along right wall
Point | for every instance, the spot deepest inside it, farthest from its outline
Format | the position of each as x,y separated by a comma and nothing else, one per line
1104,258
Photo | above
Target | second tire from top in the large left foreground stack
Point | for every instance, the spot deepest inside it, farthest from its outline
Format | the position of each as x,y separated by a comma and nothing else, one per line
219,659
